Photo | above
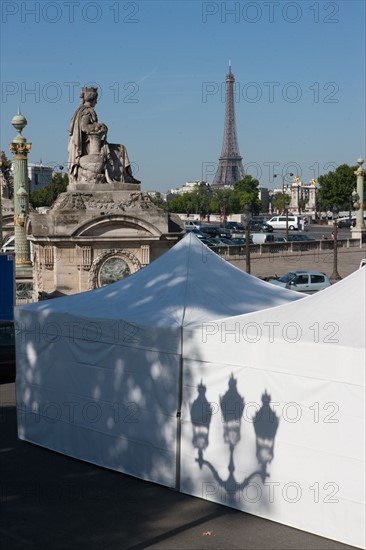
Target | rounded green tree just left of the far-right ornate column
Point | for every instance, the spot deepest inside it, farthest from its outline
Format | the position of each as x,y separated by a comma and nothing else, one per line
335,188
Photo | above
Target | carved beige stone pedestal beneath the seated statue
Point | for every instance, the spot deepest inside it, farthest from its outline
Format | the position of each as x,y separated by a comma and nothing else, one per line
95,235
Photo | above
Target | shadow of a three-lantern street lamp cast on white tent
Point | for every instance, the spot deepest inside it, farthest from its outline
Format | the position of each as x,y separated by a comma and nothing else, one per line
232,407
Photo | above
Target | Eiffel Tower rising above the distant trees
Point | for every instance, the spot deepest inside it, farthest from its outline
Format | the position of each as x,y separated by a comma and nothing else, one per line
230,167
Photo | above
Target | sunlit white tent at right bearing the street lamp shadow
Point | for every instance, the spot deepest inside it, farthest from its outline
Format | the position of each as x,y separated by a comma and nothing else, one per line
295,410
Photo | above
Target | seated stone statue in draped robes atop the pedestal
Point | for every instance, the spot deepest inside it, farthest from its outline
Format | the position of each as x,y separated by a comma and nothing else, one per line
91,158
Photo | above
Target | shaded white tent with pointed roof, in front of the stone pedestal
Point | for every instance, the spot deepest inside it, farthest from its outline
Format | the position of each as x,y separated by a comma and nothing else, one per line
99,374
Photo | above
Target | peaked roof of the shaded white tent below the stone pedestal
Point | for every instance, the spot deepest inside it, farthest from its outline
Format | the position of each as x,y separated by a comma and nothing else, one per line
187,285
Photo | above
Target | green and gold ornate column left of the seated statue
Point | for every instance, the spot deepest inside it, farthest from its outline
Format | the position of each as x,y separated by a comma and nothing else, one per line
20,149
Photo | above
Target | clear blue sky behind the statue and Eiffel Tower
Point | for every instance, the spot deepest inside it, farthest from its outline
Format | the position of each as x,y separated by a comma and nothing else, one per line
160,67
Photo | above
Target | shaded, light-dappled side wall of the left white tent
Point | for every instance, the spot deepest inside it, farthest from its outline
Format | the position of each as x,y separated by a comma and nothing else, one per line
100,392
